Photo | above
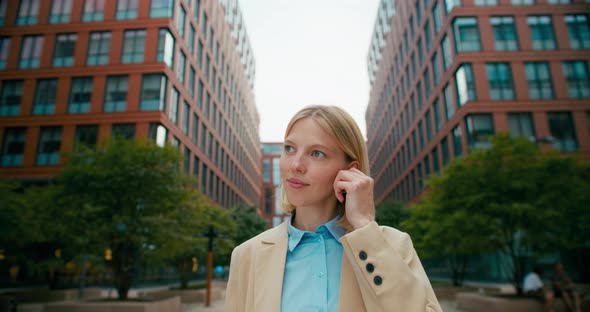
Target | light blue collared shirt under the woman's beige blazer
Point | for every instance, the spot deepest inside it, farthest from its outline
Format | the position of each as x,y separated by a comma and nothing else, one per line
312,269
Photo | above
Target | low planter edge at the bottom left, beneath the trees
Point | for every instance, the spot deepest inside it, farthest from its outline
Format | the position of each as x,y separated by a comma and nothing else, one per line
169,304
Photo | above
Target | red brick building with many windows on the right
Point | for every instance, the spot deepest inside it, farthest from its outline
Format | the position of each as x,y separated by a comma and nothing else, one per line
447,74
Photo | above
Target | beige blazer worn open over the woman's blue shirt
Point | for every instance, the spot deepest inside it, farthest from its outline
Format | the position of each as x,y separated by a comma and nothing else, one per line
397,281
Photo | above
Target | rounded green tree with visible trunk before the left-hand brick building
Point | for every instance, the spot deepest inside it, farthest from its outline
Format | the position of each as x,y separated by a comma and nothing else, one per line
122,195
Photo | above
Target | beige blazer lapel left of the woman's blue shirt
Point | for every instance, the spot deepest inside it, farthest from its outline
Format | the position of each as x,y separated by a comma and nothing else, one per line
269,269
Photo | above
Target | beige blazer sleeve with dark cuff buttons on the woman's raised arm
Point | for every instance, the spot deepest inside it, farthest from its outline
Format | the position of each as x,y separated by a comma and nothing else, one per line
388,270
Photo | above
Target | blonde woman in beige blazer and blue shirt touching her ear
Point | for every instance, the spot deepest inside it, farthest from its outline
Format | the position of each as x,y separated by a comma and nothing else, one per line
330,255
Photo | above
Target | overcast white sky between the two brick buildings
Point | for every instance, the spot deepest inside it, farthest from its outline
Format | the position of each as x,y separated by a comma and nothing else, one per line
308,52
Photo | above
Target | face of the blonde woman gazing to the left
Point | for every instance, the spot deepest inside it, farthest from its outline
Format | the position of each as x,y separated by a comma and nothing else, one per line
309,164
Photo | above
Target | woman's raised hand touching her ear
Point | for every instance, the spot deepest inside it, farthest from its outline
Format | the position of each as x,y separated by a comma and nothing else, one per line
355,190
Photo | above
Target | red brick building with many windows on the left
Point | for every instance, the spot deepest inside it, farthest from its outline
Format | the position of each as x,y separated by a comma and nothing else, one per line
176,71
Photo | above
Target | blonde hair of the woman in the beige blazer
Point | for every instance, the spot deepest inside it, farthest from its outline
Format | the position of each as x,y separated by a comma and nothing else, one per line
341,126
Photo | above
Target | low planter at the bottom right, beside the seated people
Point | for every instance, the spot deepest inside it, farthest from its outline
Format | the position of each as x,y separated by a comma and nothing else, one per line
475,302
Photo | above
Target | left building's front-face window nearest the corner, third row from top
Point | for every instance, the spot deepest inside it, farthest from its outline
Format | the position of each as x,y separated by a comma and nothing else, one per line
153,92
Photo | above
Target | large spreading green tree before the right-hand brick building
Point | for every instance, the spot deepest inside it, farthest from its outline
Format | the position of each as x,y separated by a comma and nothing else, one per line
509,197
